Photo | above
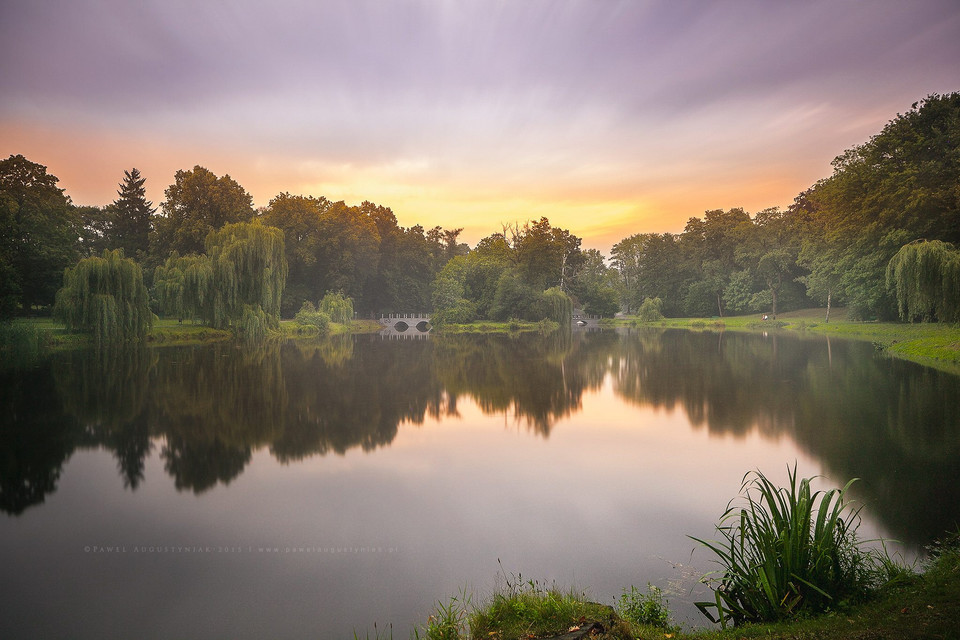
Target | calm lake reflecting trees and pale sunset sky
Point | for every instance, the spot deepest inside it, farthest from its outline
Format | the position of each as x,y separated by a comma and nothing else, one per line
312,489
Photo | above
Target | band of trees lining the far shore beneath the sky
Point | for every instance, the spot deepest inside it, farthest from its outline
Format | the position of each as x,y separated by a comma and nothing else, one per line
878,236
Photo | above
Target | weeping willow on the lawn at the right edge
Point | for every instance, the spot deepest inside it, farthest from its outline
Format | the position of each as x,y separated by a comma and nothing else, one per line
926,278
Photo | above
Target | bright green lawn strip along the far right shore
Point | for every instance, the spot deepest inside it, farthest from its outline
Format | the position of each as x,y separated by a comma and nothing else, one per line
928,343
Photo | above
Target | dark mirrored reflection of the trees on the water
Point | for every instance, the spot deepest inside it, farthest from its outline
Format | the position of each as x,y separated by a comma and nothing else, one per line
893,424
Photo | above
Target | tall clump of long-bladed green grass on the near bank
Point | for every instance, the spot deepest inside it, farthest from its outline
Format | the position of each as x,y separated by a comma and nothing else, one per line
787,552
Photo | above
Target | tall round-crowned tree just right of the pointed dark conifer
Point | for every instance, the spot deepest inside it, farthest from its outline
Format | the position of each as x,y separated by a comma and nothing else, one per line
197,203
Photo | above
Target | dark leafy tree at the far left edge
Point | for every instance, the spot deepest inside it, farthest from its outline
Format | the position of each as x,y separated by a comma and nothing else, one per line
39,231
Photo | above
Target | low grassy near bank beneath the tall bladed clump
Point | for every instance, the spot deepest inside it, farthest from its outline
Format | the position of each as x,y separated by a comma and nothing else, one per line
919,605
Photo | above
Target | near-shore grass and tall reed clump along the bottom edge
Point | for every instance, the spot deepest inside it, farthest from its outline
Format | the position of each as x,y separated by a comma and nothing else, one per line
791,566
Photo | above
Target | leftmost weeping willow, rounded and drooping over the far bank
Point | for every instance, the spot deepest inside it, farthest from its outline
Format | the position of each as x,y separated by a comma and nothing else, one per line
105,296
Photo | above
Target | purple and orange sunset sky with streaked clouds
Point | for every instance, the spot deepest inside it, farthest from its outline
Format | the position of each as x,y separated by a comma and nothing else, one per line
610,118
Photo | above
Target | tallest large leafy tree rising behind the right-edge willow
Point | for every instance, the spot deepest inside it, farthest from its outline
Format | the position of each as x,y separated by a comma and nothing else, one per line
898,187
